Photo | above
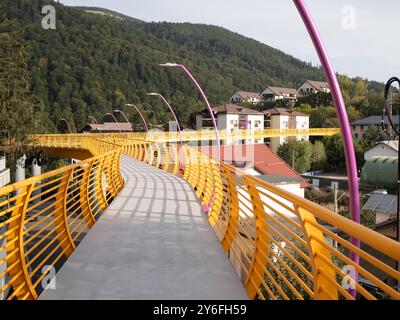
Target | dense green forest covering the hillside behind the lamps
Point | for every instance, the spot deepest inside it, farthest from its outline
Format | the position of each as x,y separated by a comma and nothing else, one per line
92,64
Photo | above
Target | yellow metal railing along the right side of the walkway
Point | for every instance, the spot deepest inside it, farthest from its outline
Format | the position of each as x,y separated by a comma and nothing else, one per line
282,246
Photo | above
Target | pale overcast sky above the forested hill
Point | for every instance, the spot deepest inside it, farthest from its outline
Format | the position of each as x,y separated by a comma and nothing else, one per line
359,34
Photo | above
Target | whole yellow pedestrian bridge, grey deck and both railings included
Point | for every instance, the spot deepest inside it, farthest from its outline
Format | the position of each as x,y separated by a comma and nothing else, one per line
140,219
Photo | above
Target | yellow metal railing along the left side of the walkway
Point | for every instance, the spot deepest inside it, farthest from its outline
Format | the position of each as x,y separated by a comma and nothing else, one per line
43,219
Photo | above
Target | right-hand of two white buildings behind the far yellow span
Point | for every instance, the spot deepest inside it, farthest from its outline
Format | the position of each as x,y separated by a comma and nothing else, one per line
283,119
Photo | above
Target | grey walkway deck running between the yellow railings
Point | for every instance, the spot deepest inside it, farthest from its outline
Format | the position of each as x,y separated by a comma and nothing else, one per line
153,242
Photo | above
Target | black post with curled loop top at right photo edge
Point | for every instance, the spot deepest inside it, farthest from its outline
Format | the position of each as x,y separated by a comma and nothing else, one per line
388,111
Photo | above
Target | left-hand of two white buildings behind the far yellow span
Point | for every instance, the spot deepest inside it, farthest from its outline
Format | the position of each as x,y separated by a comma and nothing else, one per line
232,117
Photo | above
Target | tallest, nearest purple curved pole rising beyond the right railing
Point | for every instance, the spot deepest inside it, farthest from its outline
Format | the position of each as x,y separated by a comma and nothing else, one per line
338,101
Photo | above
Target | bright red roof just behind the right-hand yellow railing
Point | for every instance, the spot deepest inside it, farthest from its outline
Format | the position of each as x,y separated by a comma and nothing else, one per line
264,161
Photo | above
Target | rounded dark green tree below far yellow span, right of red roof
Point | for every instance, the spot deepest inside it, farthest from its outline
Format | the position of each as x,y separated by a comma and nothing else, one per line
298,154
